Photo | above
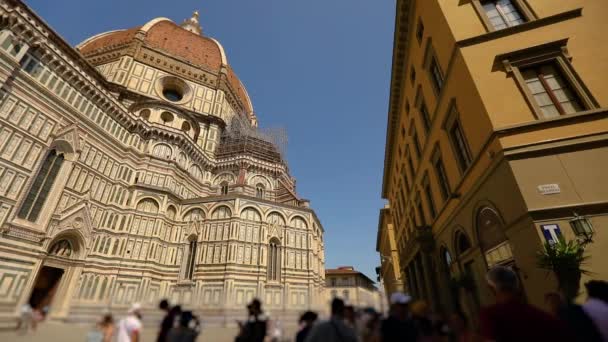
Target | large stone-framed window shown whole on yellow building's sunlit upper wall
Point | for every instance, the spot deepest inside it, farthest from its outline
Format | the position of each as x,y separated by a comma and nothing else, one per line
548,80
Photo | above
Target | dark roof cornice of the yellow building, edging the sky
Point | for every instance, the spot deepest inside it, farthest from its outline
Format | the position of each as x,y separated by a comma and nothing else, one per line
400,46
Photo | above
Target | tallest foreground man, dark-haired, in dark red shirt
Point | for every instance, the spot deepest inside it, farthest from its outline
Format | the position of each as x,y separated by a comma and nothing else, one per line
510,319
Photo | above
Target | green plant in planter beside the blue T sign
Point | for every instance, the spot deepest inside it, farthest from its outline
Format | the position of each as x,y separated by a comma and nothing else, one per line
565,259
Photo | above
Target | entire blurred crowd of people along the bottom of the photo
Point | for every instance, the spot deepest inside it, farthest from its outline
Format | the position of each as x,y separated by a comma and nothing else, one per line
510,318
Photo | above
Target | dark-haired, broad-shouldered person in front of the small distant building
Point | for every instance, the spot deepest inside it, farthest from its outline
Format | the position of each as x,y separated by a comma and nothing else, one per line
335,329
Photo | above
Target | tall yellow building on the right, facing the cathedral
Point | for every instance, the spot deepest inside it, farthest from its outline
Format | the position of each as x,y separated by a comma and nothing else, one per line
497,136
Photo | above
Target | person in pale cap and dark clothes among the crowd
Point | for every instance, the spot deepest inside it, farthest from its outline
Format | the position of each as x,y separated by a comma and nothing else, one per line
398,326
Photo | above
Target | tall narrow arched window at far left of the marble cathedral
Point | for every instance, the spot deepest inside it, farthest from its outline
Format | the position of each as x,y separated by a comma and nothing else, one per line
39,191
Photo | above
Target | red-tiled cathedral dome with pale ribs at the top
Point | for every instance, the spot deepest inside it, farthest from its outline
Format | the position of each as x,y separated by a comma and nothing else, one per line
185,42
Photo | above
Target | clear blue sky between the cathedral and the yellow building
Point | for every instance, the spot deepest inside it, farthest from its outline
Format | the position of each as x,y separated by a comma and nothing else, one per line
319,68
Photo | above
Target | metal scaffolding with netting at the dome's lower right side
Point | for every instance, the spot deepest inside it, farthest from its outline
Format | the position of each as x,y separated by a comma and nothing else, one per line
241,137
